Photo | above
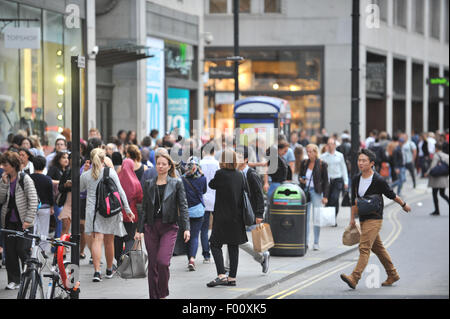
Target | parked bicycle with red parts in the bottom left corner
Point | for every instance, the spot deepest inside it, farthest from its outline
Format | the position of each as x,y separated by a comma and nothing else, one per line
31,279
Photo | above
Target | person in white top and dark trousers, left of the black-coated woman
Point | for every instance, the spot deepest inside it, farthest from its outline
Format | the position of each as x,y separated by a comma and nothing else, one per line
209,165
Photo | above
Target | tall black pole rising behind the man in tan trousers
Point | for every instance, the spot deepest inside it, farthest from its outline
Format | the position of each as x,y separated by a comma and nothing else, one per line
355,88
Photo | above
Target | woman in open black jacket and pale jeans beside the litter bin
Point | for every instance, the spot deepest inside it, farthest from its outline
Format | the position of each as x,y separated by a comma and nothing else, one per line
314,180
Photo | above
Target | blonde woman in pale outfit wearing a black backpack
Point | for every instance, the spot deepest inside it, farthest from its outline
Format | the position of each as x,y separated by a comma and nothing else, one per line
105,228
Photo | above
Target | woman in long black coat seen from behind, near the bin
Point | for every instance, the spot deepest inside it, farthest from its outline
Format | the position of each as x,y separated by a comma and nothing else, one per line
228,223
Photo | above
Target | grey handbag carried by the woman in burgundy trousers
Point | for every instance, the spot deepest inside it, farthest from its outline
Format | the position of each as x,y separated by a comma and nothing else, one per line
134,263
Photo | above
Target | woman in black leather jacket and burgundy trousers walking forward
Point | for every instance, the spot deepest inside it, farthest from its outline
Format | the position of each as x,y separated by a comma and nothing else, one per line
164,205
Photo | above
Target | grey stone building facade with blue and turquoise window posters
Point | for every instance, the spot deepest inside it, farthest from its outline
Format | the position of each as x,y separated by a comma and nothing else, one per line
162,91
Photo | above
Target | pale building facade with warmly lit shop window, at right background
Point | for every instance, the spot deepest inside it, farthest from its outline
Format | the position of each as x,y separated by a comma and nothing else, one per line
301,51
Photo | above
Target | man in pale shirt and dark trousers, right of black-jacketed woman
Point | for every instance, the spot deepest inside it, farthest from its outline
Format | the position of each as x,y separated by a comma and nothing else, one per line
337,172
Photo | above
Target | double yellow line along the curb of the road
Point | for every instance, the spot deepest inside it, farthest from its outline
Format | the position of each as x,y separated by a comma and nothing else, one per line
392,237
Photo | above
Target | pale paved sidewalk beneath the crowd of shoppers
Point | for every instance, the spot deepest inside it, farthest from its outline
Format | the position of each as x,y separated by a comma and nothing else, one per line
192,285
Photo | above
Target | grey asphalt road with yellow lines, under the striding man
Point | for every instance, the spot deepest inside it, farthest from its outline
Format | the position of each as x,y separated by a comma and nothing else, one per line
419,246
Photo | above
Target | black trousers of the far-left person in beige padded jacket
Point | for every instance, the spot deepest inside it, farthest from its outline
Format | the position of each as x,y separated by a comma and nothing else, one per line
16,248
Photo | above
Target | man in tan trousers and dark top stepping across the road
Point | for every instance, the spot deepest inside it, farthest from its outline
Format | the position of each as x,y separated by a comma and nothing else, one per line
370,185
